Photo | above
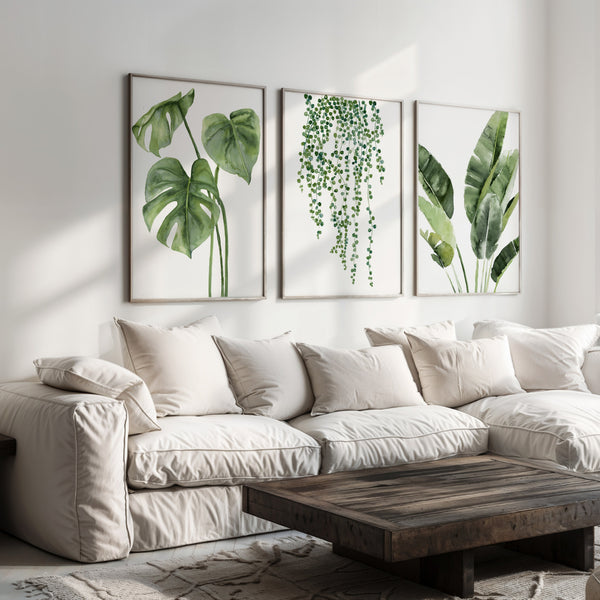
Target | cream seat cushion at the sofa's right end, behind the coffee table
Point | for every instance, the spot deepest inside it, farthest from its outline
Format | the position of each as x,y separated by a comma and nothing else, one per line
556,425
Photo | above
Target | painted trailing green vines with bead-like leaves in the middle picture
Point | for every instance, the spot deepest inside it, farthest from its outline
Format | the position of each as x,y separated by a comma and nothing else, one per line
340,160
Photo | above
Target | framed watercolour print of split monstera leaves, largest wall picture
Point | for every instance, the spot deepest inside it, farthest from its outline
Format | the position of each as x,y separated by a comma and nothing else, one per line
197,190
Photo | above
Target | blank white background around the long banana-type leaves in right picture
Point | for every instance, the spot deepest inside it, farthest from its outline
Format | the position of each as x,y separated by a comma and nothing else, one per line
450,133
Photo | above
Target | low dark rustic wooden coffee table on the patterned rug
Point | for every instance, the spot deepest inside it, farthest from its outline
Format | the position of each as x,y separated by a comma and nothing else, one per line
423,521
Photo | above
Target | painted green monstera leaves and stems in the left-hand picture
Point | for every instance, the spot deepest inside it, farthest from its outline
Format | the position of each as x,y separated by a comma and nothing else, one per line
198,213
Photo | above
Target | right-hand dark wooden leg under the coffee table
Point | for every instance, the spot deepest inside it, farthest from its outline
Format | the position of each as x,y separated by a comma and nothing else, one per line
571,548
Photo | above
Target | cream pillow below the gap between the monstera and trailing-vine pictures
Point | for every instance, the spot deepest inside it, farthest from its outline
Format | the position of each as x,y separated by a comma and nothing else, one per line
267,376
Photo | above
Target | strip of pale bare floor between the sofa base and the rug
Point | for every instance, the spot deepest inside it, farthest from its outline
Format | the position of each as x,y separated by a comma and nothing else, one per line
19,560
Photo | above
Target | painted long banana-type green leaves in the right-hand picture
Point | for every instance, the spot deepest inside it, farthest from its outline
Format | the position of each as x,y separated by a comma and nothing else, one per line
488,203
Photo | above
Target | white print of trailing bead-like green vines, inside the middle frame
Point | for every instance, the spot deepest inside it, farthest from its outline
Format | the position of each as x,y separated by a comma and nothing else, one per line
344,186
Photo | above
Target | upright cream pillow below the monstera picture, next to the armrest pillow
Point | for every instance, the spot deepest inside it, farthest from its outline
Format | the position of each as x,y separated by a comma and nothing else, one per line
182,367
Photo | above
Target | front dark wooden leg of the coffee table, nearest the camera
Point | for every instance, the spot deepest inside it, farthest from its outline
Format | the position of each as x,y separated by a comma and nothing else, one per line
452,573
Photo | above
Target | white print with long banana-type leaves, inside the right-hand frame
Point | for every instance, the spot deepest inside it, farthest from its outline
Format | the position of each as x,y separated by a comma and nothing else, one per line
473,245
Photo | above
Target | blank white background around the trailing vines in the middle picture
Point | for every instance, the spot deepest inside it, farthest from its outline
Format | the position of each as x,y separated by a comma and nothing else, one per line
309,269
